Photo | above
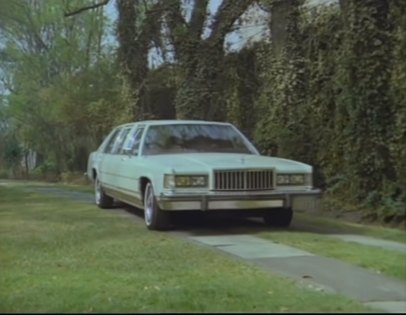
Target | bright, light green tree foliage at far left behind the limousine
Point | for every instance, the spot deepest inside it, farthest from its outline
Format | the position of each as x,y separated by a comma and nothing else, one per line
67,91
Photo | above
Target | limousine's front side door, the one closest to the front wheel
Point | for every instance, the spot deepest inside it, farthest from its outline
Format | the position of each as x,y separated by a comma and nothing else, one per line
129,166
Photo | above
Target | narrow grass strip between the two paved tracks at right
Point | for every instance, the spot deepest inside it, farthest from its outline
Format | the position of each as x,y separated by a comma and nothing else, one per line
385,261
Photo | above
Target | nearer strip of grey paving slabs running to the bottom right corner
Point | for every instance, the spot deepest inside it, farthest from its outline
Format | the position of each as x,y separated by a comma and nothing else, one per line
315,272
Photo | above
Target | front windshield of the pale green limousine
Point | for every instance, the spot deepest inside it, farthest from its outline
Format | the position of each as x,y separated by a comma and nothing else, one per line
191,138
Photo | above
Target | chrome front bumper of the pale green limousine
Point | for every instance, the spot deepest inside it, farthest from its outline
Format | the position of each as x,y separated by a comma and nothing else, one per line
306,200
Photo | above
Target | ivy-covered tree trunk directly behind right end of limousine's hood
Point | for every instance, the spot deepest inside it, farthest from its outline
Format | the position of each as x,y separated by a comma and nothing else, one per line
285,124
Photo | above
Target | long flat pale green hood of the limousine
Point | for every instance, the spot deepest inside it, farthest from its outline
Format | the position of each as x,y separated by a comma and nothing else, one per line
199,162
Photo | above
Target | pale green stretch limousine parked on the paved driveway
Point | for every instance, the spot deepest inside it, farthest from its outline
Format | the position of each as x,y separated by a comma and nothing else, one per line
162,166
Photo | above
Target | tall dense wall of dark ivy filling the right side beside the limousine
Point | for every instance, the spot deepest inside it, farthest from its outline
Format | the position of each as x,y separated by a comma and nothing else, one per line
333,96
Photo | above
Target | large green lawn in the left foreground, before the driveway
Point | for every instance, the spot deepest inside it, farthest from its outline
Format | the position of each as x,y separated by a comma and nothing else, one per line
64,256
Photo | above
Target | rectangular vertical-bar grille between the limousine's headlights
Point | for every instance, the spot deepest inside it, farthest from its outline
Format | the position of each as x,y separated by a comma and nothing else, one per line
243,180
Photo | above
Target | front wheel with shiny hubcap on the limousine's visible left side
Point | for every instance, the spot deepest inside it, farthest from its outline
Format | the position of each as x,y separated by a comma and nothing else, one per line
154,217
